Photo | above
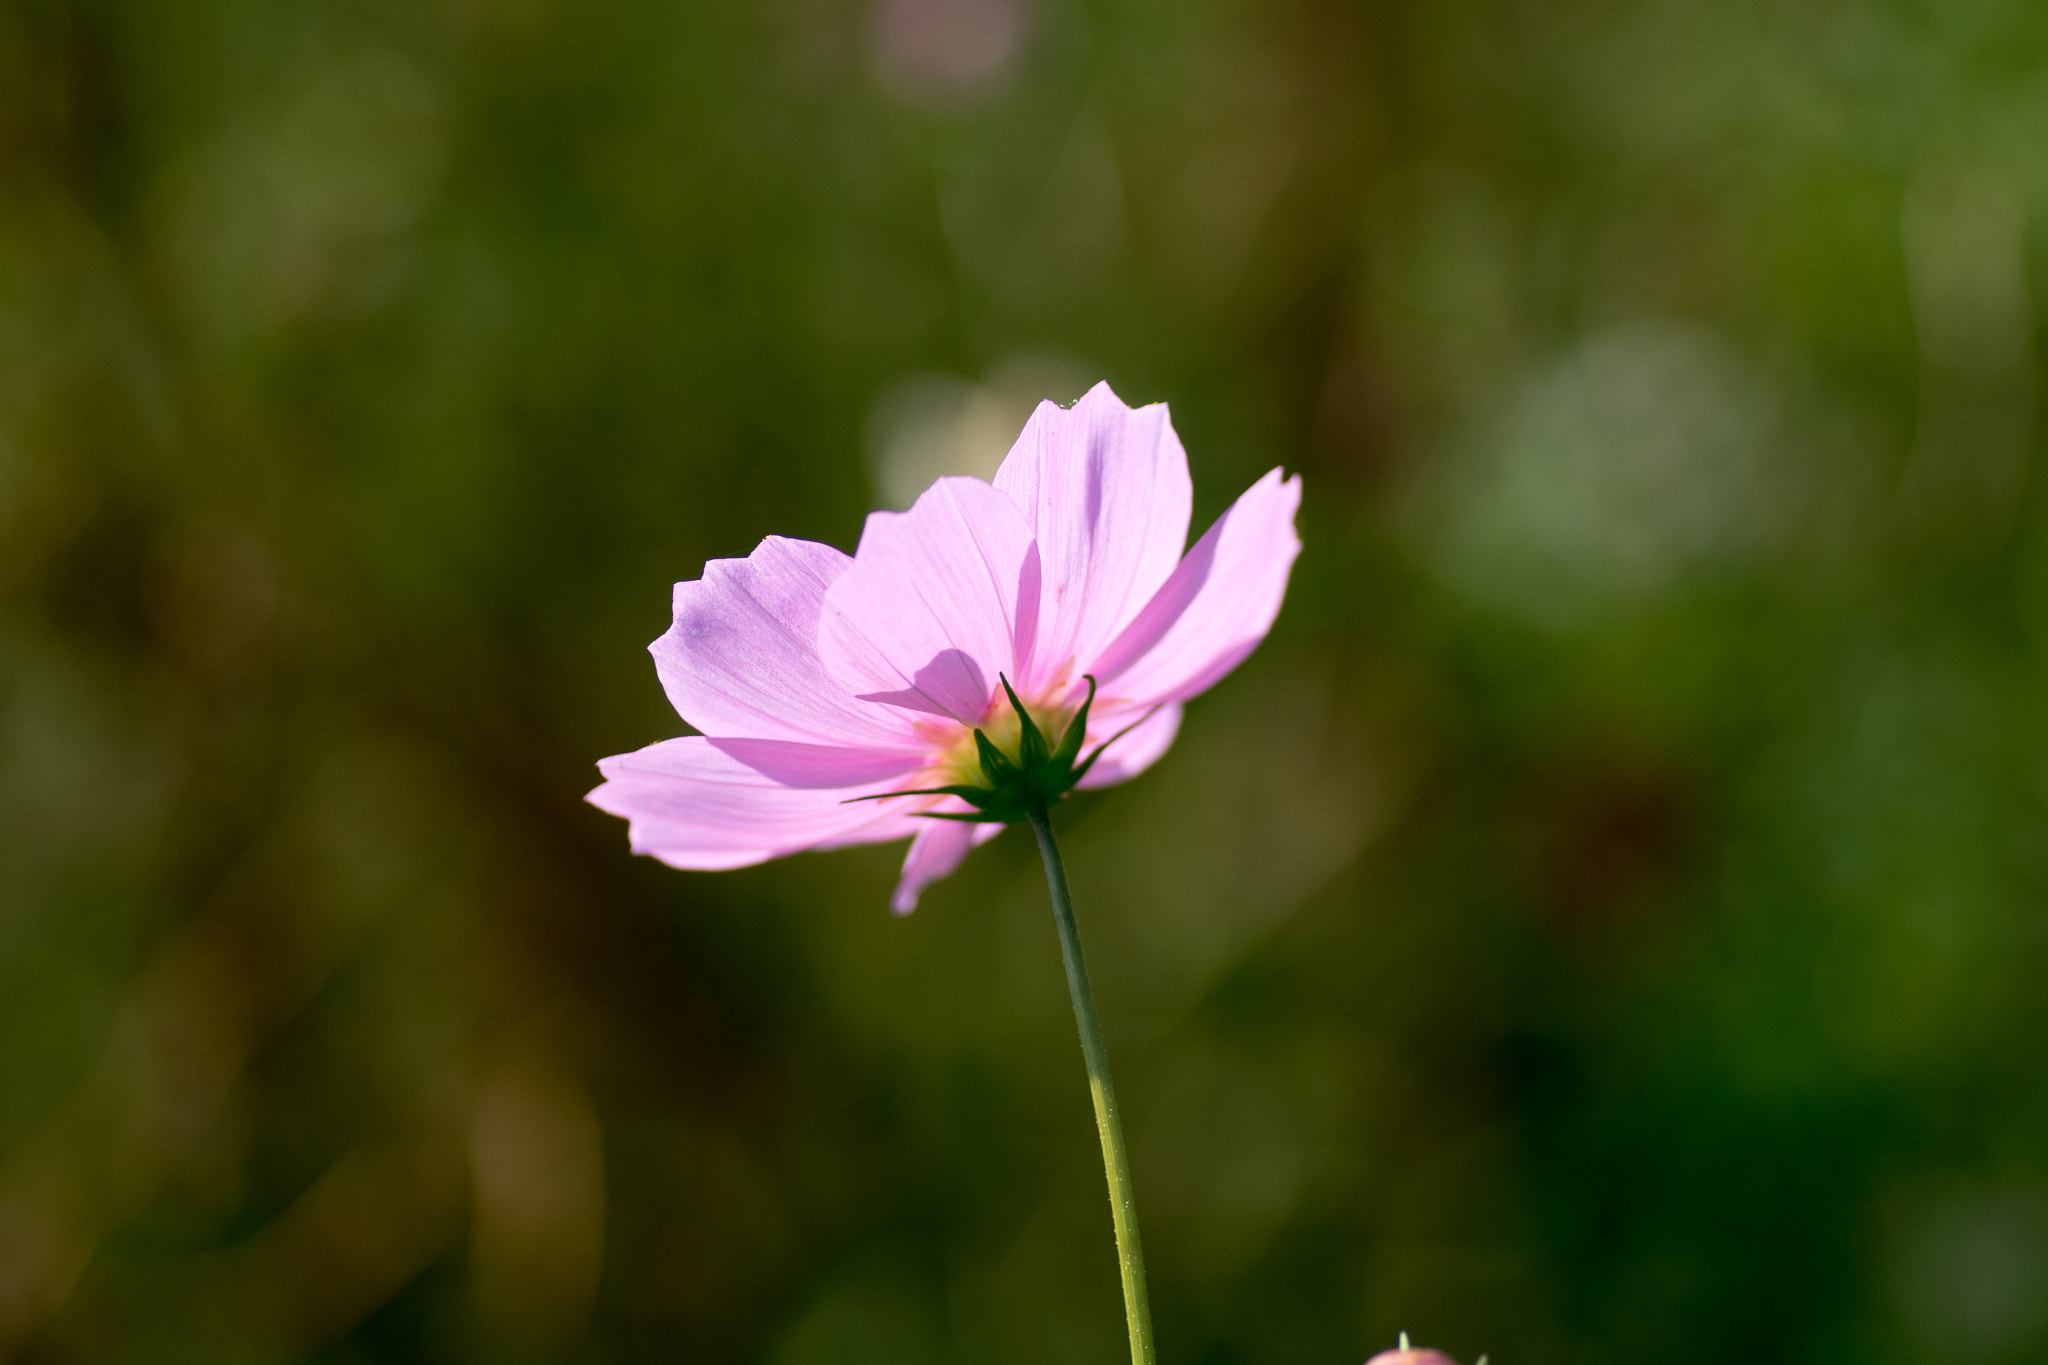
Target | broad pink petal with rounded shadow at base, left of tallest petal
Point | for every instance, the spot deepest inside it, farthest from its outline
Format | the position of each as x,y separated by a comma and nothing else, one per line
939,603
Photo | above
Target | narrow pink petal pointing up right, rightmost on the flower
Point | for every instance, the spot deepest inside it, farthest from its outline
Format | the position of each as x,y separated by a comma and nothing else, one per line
1215,609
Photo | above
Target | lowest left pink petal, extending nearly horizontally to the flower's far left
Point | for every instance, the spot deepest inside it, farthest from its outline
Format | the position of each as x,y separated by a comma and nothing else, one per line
697,807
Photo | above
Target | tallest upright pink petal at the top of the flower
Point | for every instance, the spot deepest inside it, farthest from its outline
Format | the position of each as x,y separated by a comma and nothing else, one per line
1107,496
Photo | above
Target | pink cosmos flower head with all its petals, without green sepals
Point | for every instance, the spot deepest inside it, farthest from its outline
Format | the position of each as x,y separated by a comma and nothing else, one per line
820,678
